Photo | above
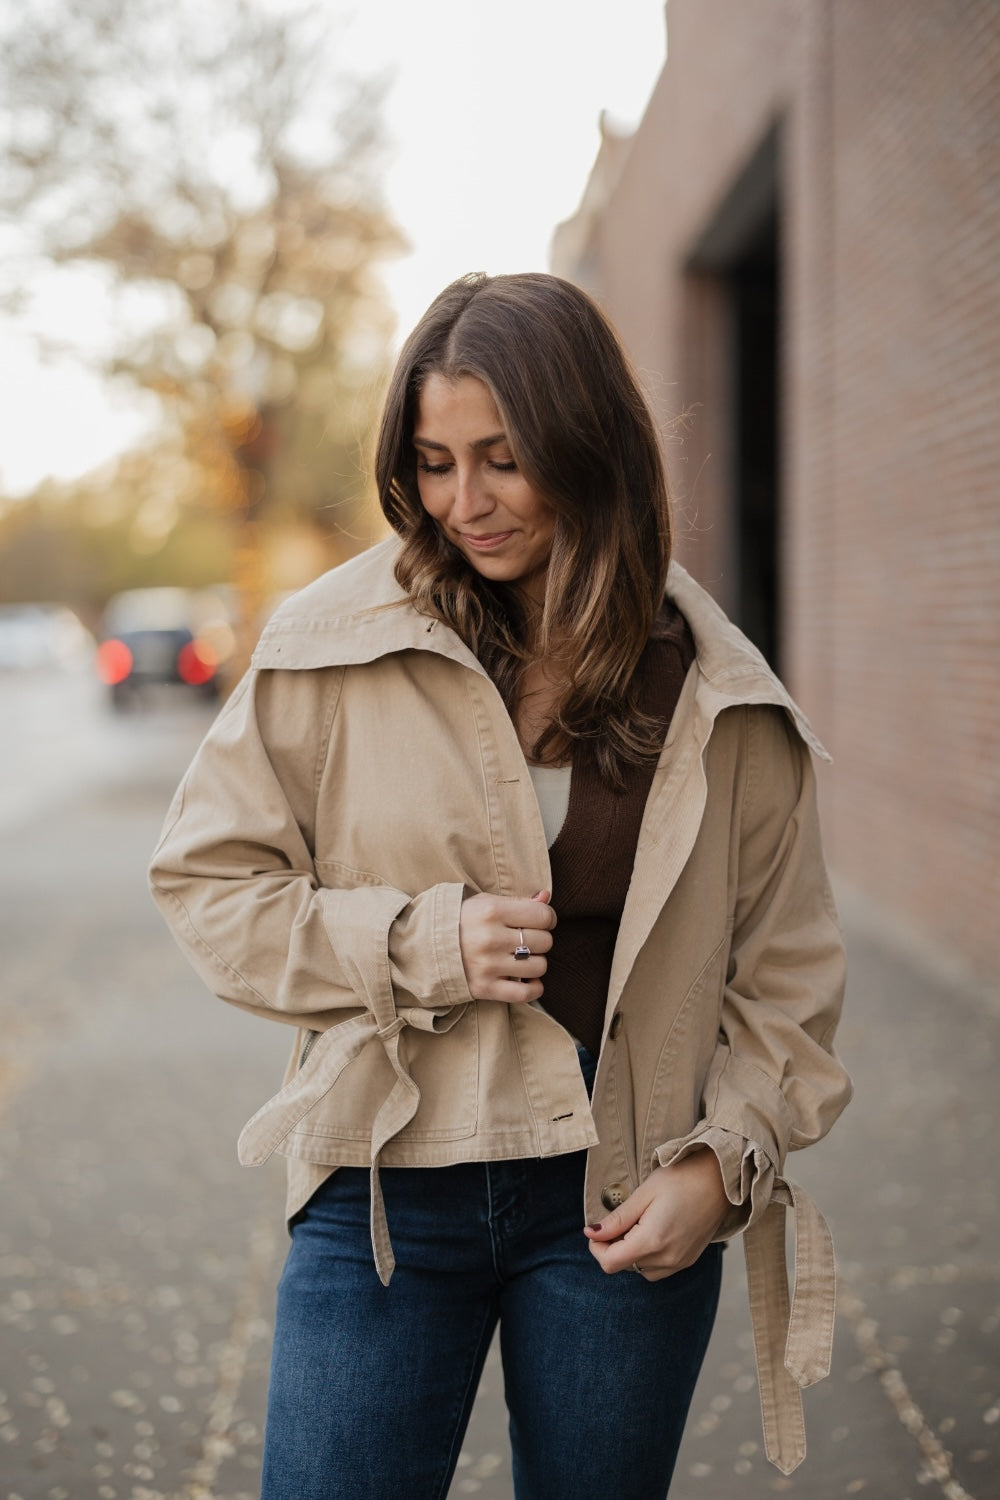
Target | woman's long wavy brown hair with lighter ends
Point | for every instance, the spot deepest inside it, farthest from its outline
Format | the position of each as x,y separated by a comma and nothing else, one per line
582,436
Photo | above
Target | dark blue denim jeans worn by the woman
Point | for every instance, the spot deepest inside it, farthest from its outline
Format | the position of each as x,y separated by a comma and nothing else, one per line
373,1387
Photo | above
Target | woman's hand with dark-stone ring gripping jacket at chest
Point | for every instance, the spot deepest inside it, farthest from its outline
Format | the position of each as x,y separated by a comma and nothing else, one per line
490,931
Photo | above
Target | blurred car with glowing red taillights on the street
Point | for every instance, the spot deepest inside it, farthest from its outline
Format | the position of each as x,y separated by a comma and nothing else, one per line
164,638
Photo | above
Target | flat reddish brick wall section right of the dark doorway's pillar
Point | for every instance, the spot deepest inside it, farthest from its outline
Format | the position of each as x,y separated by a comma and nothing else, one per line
917,461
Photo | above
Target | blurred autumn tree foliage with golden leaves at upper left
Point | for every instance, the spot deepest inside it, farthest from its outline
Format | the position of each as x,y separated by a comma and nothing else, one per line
217,176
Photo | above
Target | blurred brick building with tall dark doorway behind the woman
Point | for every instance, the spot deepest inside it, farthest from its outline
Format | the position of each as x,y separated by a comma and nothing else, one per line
800,250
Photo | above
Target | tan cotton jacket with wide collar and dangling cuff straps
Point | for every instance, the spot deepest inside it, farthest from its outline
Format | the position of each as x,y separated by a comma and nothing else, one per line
364,779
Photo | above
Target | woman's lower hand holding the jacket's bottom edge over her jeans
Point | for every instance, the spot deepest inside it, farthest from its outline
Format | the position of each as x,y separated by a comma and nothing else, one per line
666,1223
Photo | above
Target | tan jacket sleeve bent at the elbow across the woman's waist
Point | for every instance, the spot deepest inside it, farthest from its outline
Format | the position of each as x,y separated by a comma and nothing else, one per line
236,881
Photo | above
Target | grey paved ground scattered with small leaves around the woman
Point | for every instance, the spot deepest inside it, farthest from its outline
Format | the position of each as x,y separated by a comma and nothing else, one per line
139,1262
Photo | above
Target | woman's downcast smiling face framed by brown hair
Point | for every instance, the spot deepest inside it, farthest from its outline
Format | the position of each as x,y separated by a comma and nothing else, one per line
472,487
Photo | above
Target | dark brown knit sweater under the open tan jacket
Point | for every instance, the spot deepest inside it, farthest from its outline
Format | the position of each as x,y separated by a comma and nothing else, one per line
594,853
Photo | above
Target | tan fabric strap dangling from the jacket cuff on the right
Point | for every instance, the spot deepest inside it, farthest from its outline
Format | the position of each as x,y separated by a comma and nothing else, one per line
794,1339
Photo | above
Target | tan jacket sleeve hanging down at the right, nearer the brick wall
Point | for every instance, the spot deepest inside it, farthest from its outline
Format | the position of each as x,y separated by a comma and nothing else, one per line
776,1082
